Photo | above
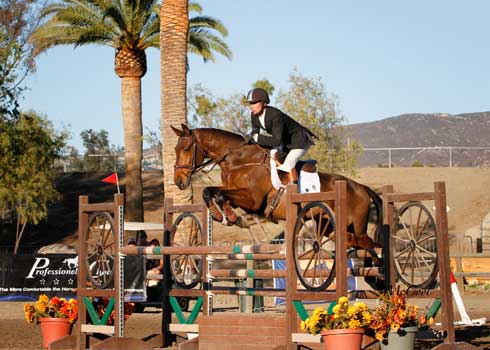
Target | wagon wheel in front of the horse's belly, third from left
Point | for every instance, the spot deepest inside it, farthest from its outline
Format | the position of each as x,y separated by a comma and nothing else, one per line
314,247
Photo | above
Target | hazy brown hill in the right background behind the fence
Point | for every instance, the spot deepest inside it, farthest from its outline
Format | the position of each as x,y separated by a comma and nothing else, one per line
426,130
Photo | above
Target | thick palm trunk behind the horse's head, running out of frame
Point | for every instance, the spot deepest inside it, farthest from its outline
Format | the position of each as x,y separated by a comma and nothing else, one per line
174,27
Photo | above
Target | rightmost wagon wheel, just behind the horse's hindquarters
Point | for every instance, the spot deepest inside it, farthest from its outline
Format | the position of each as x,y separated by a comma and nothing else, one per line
414,246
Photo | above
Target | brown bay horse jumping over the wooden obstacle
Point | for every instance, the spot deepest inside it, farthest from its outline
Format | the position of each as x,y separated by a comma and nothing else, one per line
246,181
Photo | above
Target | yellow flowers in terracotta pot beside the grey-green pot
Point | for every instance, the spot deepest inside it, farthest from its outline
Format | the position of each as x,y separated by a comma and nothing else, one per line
343,328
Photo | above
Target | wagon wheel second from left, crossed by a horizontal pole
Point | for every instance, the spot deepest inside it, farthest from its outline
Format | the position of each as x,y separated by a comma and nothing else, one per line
186,269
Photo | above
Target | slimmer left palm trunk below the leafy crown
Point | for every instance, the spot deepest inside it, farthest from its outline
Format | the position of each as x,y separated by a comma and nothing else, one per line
133,146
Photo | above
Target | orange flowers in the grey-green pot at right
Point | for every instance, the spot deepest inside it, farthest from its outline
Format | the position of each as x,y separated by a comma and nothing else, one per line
395,322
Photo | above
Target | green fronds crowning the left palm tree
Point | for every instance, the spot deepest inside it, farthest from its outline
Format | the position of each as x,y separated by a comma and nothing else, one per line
132,24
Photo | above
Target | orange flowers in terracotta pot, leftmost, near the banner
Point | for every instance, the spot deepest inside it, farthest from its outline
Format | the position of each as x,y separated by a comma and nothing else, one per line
56,316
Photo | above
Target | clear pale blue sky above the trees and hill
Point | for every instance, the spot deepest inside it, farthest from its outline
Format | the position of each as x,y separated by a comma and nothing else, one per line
381,58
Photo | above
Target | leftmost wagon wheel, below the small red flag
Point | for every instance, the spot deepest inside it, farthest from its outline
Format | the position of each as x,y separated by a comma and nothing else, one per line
100,243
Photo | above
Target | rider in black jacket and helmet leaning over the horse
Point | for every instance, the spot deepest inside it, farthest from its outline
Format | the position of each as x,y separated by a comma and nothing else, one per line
287,135
